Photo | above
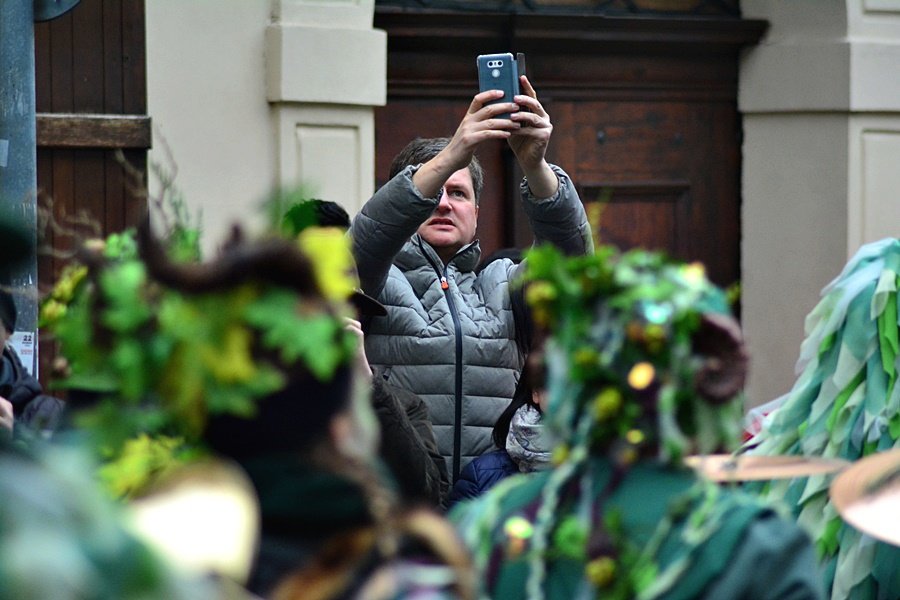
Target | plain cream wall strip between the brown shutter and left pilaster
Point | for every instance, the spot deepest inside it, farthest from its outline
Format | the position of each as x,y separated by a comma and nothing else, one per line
206,81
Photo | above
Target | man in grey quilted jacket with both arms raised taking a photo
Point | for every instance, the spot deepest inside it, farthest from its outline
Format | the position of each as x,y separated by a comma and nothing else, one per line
450,335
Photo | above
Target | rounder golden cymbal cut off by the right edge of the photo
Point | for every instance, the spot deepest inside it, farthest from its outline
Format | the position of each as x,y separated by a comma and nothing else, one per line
867,495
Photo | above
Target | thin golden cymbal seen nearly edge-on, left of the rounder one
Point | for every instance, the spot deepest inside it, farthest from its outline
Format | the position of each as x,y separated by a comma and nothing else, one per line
729,467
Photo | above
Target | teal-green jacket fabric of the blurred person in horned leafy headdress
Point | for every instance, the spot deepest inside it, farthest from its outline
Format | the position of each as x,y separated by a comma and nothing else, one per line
751,554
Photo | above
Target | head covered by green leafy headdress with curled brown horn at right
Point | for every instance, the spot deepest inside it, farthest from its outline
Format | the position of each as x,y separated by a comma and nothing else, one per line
643,357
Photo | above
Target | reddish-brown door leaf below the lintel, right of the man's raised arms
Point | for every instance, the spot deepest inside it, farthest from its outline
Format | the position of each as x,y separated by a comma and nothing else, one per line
669,171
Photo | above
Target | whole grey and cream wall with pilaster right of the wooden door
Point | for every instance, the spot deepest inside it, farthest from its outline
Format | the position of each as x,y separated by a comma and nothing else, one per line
821,107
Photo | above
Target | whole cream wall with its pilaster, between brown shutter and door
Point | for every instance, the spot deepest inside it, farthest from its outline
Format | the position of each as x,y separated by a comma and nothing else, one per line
250,95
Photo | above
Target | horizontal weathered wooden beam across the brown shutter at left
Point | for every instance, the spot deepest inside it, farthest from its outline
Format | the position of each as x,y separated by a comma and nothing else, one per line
59,130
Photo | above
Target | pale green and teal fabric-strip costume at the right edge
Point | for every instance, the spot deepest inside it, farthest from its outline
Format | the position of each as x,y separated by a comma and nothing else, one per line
845,404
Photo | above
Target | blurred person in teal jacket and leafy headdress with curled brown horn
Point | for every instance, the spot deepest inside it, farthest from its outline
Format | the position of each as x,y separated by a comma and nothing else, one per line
644,367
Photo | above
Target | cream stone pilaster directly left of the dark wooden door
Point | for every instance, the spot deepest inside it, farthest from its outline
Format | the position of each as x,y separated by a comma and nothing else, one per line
325,72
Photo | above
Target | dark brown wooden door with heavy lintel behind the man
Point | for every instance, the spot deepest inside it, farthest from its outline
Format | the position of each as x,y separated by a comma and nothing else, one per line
644,112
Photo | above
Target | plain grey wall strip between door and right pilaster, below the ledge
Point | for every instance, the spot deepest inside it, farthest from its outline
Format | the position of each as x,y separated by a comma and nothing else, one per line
794,234
